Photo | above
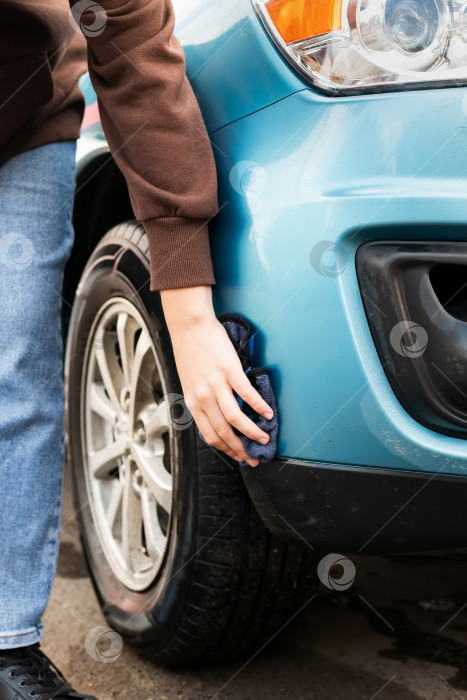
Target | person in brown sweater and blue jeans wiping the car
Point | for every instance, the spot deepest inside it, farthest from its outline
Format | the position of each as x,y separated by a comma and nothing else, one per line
158,139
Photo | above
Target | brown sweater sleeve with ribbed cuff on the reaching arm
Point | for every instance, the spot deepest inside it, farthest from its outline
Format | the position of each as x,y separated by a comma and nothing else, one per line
155,131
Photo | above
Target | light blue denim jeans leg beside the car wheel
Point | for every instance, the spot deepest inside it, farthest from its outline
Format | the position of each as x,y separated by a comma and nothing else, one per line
36,235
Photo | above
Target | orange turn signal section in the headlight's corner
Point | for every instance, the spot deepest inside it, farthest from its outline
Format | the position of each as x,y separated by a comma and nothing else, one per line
300,19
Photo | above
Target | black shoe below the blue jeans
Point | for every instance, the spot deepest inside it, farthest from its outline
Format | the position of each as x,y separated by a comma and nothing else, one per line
26,672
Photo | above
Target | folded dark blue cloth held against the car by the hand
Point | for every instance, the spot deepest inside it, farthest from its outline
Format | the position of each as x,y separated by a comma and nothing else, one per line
240,333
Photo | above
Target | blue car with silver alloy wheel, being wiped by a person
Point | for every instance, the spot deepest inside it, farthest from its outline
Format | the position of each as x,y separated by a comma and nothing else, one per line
339,129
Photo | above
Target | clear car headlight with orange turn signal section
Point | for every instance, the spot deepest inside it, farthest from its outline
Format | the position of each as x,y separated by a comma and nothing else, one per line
353,46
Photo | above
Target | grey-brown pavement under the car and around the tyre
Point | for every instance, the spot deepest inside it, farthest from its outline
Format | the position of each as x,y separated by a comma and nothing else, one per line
399,633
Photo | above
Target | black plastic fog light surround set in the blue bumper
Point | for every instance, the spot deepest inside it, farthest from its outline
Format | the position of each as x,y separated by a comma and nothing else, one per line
414,294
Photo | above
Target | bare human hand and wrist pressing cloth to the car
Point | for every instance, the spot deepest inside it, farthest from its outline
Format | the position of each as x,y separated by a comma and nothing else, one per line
210,370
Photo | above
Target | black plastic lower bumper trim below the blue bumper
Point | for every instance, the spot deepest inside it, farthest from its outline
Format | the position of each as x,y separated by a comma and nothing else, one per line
360,509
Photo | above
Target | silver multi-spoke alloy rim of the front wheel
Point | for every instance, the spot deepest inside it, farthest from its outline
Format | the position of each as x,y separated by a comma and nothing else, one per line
126,443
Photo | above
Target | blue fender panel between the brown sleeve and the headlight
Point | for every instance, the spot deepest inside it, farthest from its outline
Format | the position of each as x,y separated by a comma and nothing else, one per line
227,49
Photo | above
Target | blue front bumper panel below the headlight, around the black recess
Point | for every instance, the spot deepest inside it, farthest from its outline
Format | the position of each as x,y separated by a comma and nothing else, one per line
347,171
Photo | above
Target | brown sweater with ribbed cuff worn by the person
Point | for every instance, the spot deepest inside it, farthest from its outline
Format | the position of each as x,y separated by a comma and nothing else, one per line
149,114
